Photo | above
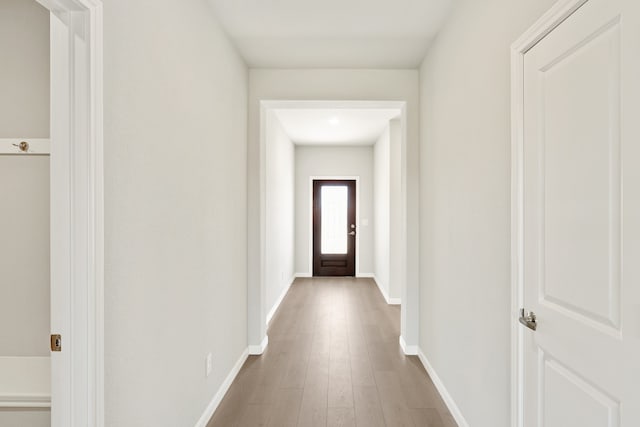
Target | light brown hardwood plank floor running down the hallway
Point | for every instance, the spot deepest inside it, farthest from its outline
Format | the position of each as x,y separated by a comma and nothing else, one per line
333,360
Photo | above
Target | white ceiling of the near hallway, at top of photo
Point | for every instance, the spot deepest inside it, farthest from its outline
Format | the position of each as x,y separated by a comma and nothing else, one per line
332,33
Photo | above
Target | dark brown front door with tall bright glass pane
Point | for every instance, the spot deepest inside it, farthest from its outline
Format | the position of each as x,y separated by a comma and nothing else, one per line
334,228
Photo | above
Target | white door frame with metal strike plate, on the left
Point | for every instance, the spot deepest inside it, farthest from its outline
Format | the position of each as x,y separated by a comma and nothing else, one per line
77,211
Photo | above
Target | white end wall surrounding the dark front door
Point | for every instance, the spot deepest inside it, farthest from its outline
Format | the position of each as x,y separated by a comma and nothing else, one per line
334,161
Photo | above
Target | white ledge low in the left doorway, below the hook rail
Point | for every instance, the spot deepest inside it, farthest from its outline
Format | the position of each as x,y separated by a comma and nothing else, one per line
25,382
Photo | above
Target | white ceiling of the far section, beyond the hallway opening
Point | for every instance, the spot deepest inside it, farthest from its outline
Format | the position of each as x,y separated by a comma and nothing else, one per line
335,126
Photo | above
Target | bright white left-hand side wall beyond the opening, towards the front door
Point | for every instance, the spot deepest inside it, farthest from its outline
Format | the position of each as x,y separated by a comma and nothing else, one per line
280,188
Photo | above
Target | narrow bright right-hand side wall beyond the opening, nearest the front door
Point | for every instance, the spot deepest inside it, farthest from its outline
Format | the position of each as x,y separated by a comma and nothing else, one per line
382,211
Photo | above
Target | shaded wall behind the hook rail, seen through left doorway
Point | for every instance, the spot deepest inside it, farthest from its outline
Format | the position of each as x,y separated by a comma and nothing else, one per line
24,186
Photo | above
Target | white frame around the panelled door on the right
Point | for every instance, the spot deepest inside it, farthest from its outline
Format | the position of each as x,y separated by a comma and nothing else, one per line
554,17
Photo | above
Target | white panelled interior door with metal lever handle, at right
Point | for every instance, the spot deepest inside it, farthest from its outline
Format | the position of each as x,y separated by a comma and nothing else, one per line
581,204
